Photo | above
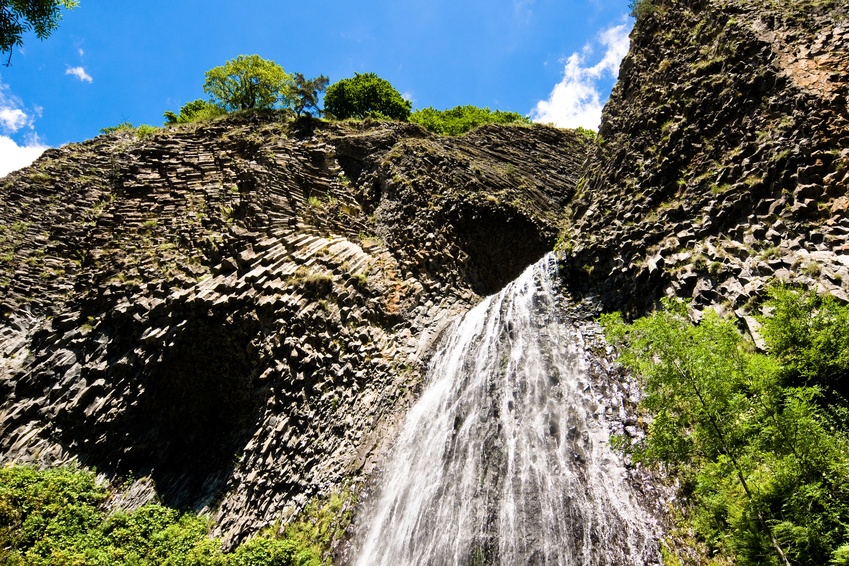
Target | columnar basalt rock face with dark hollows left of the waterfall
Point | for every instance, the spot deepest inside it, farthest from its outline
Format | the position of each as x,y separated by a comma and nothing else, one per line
239,310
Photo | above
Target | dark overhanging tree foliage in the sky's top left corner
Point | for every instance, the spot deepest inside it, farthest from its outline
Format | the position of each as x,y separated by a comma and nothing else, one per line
20,16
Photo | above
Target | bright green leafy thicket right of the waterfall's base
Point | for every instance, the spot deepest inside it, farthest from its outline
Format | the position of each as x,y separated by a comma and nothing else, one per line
758,441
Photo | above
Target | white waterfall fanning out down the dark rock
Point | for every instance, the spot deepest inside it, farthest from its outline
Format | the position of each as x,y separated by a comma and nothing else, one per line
505,458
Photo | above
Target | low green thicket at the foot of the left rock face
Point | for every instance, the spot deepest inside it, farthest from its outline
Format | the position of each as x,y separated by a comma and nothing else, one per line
54,517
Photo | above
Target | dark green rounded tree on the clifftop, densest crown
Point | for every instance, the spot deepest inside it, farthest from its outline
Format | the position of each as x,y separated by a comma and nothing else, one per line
365,95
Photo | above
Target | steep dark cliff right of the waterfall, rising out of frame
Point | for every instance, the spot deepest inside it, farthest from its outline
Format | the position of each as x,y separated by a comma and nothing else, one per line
725,157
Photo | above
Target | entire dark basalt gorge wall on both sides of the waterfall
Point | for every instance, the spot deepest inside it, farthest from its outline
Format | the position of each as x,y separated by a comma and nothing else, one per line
240,309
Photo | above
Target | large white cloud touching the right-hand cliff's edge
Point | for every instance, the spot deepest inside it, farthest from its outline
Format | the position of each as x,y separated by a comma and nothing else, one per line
576,101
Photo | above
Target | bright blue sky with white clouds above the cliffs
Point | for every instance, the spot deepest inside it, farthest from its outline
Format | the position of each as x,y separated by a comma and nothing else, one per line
113,61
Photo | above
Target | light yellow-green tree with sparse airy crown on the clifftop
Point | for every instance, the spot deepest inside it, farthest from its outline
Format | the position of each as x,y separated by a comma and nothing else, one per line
249,81
